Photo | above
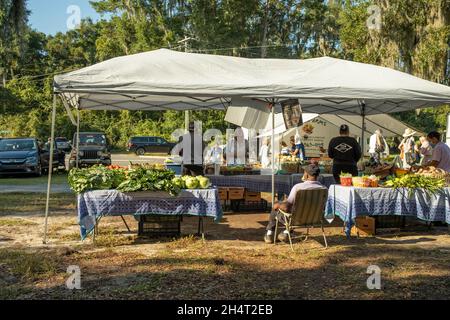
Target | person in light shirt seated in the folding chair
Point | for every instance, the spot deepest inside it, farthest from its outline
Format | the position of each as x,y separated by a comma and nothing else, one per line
310,178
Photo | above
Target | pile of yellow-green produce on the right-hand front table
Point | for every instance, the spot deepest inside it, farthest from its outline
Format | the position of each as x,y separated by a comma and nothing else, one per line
414,181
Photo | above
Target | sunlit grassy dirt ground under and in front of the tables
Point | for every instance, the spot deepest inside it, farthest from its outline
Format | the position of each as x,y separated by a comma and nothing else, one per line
231,263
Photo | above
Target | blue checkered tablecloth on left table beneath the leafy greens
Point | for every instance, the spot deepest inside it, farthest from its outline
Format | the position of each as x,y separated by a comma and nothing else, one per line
93,205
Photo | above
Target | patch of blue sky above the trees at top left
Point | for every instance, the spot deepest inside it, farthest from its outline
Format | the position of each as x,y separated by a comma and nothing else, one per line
50,16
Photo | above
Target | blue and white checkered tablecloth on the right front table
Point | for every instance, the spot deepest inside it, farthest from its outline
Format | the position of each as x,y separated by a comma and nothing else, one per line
350,202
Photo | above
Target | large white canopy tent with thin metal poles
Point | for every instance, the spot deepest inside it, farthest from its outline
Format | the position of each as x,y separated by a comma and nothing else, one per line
170,80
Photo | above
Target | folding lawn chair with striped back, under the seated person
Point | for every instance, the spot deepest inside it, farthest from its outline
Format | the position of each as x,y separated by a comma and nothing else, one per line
307,212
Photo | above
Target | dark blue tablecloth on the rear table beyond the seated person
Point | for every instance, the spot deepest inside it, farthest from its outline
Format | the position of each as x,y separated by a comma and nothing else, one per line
263,183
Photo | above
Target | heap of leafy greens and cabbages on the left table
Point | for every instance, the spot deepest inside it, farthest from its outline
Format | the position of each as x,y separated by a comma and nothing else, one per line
132,179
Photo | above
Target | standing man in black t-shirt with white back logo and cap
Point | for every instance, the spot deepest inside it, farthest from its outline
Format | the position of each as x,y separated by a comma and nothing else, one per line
345,152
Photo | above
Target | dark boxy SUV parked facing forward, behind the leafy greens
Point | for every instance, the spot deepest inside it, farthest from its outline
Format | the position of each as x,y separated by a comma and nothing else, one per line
93,149
